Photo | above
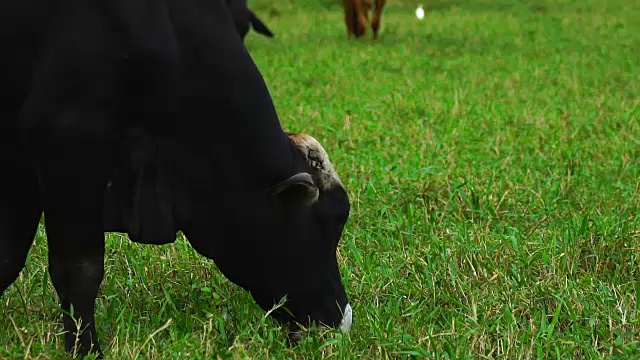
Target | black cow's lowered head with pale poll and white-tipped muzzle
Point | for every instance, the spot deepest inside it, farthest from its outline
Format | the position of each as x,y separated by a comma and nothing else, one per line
313,205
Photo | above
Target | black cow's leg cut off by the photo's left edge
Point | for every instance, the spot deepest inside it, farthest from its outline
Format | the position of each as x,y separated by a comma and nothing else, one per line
20,211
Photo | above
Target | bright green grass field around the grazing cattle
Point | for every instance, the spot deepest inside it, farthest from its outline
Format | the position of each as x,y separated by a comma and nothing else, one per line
492,155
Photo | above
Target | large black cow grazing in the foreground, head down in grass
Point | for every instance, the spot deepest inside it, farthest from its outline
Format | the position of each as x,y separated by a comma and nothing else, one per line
149,116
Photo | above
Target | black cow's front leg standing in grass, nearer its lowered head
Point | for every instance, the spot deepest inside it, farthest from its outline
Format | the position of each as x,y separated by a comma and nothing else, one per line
73,187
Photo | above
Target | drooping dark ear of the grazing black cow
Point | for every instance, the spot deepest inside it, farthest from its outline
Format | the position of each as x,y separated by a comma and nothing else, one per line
297,190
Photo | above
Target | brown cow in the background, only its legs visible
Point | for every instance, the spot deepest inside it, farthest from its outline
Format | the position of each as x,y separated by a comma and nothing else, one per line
356,16
